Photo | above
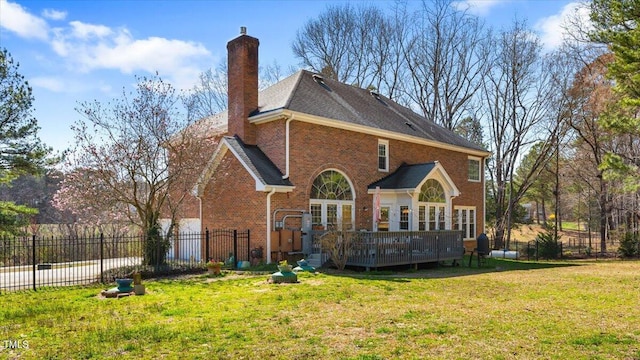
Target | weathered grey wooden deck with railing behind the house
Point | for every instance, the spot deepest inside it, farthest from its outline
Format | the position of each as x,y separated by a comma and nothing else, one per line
380,249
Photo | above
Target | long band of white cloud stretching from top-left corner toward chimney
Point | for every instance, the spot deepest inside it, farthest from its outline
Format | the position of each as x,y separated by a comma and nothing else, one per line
87,47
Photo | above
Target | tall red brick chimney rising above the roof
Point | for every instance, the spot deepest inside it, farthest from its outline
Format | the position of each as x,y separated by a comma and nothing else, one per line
243,85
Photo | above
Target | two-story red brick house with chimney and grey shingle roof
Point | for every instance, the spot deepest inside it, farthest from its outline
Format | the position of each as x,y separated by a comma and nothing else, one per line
313,145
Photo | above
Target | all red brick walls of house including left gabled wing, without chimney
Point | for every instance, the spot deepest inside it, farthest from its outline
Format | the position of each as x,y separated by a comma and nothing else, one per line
231,201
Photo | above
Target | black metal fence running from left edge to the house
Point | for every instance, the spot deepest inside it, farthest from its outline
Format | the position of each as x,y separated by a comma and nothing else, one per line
33,262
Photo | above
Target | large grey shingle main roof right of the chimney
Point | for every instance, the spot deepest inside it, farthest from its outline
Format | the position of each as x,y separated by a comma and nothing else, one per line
303,92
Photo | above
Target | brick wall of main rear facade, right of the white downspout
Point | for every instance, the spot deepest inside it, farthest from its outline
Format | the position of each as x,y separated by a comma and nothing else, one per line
315,148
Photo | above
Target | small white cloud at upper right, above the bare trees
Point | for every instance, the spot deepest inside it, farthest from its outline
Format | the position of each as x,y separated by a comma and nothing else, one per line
553,29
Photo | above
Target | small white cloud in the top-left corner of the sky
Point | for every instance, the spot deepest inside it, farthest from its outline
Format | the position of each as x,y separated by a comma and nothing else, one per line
15,18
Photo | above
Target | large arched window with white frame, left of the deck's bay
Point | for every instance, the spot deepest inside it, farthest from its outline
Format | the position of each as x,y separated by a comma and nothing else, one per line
332,201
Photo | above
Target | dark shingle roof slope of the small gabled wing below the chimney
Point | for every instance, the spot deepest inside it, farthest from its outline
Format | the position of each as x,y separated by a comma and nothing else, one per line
259,164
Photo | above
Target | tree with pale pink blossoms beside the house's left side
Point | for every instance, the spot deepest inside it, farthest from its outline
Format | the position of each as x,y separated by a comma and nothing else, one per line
136,159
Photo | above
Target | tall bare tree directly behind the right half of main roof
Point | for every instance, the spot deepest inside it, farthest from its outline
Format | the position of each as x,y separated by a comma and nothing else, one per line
447,56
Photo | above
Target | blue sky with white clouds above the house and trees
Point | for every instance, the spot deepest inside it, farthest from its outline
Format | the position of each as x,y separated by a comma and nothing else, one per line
74,51
